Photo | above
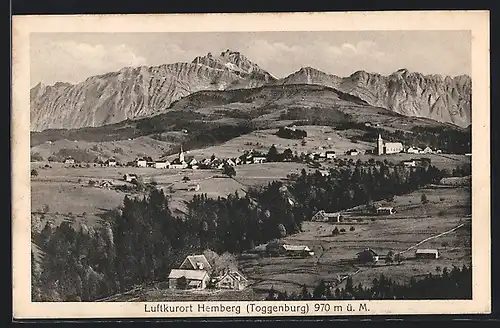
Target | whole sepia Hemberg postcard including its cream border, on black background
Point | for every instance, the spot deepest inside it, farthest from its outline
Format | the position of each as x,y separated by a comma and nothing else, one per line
195,171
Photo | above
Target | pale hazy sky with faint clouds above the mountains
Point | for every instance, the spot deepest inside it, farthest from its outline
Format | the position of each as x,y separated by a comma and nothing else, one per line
73,57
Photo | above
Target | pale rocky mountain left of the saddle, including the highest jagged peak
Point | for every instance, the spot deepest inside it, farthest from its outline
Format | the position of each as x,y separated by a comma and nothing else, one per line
137,91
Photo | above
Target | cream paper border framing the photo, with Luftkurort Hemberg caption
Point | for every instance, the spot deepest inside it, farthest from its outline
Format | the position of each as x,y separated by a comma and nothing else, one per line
475,21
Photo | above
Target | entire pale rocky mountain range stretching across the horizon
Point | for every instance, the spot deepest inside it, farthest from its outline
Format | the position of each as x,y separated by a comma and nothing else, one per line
135,92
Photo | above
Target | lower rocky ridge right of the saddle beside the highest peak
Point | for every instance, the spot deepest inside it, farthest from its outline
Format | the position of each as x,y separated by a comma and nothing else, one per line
444,99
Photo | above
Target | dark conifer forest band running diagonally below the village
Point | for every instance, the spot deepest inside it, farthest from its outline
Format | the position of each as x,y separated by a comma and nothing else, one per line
141,241
